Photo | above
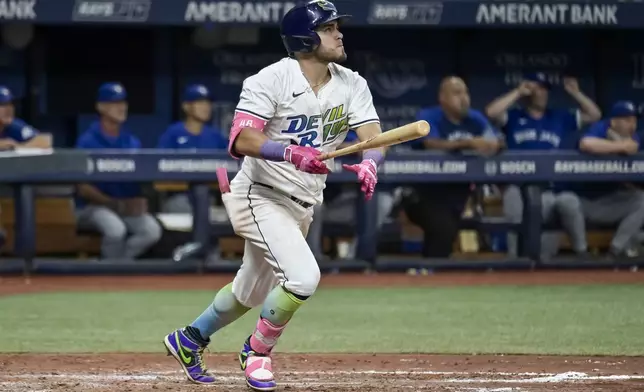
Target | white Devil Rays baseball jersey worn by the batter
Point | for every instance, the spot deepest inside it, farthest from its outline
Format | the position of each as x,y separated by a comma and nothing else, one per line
281,95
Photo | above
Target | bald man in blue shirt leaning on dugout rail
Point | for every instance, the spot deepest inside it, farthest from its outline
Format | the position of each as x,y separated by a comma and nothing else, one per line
437,208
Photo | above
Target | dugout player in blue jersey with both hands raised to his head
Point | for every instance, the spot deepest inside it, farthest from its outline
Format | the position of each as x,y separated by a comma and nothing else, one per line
535,126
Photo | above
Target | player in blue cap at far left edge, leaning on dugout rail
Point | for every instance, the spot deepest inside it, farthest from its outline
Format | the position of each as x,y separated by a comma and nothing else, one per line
14,132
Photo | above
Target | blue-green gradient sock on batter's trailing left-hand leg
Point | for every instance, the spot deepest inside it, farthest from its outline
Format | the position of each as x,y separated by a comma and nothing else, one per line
224,310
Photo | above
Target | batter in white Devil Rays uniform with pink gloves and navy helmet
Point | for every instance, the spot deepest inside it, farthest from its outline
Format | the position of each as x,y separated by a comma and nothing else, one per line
288,115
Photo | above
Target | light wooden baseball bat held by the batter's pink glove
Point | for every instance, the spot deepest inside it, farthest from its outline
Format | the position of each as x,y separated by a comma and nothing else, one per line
392,137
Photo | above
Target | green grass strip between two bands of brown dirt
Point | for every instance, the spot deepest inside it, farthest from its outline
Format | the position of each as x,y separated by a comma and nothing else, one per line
584,320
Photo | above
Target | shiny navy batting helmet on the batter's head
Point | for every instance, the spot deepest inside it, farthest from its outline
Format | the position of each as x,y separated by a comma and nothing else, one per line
299,24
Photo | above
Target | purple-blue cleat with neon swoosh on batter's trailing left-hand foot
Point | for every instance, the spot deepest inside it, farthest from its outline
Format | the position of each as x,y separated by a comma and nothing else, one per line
189,355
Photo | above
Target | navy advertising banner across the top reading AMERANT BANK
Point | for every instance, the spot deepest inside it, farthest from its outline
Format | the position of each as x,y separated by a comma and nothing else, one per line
447,13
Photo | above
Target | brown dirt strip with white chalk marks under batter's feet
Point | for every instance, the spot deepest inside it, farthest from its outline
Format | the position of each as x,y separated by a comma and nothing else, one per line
154,372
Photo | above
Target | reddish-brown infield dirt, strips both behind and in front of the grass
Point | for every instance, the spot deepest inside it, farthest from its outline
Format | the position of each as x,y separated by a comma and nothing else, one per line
333,372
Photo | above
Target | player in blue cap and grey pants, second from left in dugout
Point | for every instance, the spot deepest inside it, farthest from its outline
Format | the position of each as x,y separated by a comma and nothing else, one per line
118,211
